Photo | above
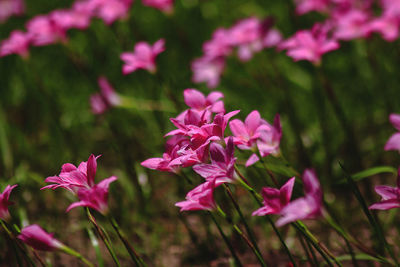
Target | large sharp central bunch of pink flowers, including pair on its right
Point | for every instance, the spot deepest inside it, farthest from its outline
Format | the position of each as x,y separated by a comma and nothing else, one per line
199,141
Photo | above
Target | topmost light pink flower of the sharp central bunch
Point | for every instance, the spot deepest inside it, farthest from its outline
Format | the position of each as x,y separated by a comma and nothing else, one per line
196,100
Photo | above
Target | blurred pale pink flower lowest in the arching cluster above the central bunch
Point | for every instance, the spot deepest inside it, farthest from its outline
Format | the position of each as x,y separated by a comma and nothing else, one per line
209,70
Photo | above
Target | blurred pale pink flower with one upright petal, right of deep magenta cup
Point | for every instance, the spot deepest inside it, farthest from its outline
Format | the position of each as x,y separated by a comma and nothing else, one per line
307,207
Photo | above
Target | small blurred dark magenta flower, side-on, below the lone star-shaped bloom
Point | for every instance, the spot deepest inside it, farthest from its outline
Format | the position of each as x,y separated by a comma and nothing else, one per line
106,99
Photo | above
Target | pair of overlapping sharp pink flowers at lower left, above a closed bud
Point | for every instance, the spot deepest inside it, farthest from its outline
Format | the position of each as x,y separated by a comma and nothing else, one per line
80,181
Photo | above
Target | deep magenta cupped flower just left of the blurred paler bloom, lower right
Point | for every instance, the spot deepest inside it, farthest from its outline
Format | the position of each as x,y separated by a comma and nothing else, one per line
275,199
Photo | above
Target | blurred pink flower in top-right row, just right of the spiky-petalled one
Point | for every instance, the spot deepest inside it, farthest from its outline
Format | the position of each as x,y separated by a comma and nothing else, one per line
351,25
